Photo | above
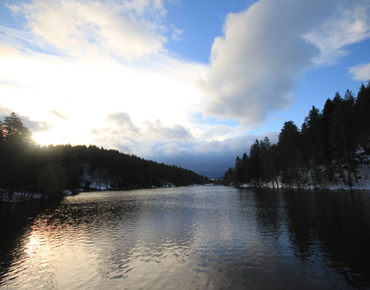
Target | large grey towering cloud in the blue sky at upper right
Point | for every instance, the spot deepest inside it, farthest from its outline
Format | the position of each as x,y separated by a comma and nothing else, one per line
256,66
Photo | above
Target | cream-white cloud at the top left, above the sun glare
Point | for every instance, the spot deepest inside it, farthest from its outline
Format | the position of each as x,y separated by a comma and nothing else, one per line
92,26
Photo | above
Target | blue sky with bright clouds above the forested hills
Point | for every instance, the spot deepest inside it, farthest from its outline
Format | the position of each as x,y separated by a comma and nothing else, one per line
184,82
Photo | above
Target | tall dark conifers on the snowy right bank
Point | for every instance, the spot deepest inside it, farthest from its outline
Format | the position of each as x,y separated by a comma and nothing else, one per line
330,145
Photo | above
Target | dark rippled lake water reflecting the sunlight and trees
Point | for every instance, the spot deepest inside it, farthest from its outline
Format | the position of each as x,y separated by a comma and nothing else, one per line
189,238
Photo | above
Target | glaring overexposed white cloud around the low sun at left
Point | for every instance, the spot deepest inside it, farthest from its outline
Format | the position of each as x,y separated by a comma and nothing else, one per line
98,87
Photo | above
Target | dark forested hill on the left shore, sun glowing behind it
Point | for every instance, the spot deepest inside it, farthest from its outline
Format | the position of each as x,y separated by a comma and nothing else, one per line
28,168
